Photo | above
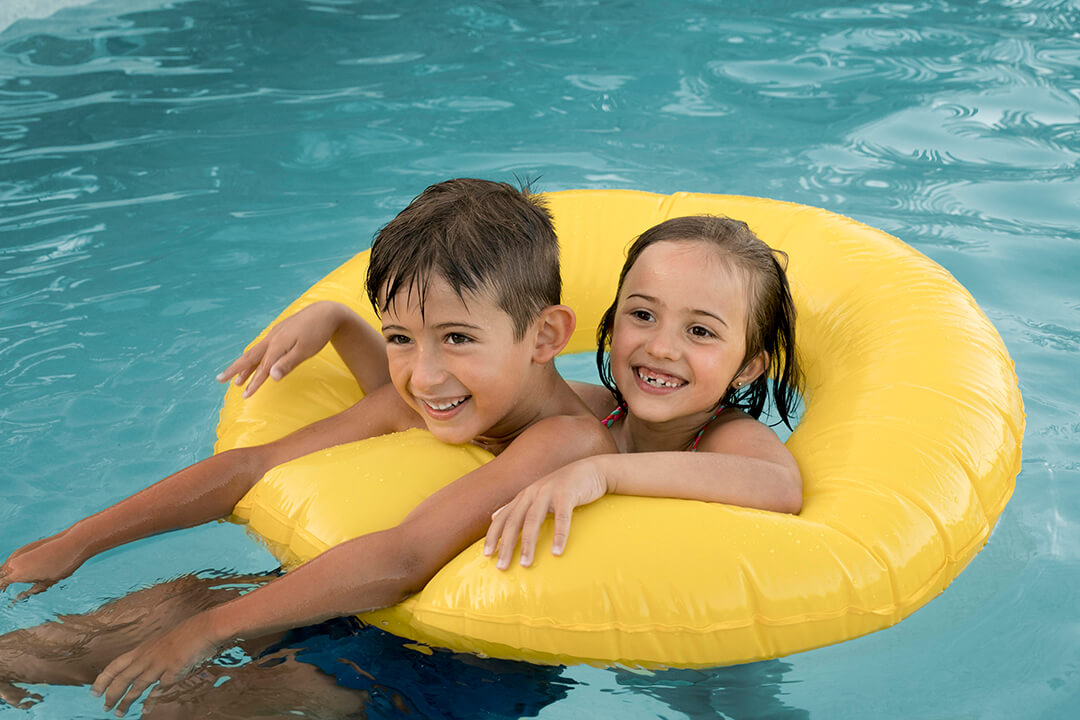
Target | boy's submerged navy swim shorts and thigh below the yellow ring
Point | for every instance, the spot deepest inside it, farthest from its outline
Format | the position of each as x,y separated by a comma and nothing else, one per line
377,675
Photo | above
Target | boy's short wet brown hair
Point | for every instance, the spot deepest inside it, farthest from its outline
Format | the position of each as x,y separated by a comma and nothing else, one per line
479,237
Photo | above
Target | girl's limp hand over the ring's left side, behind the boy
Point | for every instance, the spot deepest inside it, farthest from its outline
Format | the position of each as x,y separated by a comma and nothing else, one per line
289,344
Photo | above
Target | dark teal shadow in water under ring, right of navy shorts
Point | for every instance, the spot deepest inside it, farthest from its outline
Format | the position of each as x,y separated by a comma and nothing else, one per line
741,691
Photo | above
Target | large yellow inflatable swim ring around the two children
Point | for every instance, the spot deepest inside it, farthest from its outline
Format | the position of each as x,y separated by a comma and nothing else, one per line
910,445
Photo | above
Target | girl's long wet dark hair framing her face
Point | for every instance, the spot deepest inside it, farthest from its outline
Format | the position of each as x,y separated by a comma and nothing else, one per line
771,318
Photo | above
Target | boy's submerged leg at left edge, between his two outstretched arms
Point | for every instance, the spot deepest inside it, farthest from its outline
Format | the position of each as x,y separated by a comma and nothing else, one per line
75,649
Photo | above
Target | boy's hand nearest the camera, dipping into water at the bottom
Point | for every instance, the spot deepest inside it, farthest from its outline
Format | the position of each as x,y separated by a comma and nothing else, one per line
167,659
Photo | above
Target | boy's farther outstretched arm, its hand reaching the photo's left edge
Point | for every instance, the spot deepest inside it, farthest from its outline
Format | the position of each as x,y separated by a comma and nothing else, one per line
206,492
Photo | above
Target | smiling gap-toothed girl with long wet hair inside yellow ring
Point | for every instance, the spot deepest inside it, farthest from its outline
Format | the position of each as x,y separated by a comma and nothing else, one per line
704,317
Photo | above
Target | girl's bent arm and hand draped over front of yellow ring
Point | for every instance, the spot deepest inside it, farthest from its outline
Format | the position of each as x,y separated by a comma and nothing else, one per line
741,463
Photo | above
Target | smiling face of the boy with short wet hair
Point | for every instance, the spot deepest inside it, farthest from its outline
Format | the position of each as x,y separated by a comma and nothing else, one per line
460,365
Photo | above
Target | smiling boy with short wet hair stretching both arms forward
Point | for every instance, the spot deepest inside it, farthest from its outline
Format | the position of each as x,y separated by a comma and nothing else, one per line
466,280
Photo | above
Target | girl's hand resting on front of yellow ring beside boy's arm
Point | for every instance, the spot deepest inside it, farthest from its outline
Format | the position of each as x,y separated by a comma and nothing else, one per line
578,484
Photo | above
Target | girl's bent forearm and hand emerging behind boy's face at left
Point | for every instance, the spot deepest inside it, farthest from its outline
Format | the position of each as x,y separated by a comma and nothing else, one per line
299,337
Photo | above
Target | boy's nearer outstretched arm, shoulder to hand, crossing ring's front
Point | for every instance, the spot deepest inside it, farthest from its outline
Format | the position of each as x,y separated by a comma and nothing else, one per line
372,572
